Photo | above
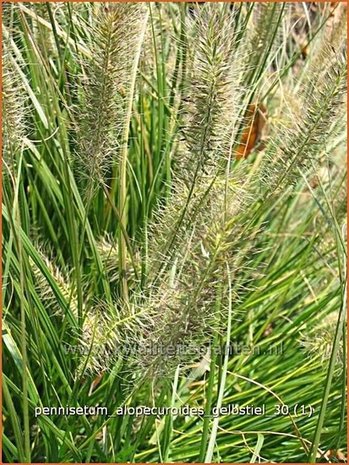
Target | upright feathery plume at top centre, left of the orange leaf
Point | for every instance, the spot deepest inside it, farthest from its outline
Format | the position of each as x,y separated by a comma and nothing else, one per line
209,114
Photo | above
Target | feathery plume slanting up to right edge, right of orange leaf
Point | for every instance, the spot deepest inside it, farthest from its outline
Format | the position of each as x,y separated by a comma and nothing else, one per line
295,148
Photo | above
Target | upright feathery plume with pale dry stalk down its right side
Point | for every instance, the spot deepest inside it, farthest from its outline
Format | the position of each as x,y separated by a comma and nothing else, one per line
103,128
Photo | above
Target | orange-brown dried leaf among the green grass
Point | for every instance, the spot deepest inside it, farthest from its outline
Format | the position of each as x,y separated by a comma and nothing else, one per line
254,121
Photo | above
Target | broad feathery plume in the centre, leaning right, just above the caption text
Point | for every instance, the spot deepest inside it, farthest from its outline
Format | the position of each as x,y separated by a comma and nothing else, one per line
185,298
